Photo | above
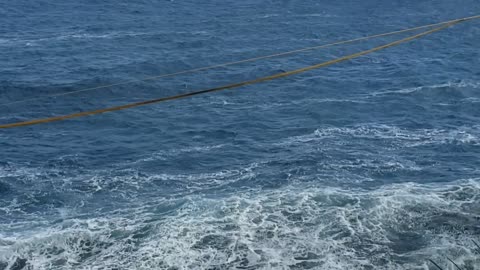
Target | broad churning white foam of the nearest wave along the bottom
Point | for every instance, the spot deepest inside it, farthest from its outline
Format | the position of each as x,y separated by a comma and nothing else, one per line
297,227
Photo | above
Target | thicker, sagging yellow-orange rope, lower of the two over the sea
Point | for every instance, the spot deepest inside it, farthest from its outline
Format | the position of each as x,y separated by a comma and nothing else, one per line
234,85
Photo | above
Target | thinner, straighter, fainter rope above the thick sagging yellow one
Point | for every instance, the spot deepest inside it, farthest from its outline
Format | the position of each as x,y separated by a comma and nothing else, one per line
243,61
